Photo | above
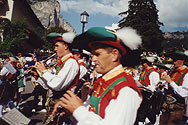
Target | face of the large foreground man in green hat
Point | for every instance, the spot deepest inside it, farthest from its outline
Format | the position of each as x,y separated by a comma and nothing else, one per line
102,60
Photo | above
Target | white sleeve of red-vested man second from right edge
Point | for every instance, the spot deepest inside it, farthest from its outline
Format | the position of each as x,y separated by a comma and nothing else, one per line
154,79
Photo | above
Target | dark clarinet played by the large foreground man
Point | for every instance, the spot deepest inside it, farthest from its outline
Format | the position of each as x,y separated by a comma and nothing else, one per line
77,90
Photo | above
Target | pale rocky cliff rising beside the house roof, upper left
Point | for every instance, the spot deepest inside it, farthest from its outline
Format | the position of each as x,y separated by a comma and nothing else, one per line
48,12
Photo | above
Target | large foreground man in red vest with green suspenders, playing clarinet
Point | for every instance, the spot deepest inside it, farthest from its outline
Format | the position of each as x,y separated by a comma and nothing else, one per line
115,98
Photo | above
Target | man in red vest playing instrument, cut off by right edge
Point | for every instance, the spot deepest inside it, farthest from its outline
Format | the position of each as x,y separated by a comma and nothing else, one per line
178,81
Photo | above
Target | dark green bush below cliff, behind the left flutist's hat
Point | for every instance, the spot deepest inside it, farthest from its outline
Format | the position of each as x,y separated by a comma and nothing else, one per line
49,45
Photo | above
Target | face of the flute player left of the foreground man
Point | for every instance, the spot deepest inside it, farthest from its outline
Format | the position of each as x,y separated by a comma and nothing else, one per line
60,49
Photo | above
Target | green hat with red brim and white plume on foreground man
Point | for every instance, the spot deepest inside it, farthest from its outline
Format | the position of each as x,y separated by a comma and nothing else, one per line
120,39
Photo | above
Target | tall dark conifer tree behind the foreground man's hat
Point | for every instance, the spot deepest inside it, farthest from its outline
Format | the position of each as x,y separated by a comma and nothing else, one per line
142,16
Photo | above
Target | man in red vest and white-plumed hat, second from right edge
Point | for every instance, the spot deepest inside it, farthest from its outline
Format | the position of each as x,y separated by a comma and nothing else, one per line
149,78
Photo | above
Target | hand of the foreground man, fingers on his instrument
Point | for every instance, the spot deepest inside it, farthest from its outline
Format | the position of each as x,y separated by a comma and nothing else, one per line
70,101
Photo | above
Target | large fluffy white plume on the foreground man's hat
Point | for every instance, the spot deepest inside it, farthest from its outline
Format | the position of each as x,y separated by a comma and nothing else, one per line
129,37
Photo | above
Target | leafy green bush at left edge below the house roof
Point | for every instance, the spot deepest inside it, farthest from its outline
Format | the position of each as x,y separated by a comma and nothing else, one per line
14,36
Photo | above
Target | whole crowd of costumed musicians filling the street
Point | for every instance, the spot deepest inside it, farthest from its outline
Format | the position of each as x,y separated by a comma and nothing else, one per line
100,87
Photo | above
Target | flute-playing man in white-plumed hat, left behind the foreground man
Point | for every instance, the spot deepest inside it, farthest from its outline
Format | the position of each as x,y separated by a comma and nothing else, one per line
67,68
